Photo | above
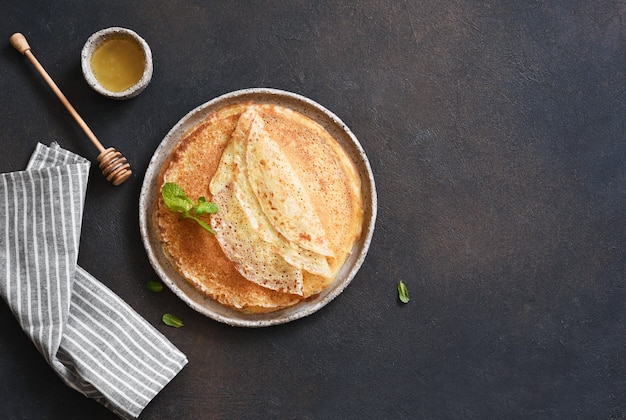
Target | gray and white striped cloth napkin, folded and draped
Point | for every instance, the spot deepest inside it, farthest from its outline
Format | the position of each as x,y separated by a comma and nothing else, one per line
94,341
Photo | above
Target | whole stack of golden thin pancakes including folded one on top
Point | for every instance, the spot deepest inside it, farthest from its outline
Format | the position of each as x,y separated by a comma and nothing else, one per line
289,202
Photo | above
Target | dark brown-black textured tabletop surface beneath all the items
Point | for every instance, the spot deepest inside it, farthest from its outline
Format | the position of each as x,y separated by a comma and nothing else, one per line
496,132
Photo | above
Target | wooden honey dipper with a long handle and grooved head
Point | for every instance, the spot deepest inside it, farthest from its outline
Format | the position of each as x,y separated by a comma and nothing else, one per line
113,165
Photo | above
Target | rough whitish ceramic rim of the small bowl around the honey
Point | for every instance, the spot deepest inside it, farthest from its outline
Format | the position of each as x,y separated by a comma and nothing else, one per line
95,41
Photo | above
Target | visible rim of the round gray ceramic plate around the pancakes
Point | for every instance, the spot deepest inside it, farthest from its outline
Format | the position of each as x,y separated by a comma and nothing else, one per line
149,192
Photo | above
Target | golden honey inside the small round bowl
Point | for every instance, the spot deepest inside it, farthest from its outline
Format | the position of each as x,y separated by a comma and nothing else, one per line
118,63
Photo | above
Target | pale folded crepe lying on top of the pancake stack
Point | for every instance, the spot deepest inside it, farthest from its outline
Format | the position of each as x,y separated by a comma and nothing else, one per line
270,232
